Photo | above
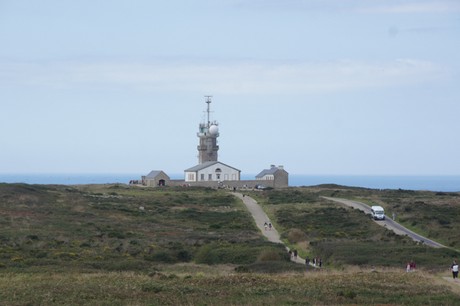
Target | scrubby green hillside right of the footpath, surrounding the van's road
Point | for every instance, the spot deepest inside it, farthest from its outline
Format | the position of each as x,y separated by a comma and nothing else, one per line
344,236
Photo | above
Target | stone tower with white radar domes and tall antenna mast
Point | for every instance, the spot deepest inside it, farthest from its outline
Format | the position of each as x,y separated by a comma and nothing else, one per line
208,133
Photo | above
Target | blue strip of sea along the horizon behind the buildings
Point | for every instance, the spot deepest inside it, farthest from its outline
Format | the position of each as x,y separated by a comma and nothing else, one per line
431,183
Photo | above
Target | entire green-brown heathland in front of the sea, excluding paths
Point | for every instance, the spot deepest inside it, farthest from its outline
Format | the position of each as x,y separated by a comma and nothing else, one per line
118,245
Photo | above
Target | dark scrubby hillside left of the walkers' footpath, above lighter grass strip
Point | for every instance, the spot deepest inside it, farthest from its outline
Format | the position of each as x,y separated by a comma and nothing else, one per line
114,227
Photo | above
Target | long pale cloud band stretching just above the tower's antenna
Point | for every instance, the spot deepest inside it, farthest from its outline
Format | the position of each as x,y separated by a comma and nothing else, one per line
243,77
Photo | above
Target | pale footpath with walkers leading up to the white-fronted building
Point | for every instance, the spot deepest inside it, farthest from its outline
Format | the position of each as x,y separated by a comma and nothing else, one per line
261,217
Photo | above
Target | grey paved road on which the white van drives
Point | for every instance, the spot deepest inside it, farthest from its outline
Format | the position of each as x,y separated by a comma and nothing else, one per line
390,224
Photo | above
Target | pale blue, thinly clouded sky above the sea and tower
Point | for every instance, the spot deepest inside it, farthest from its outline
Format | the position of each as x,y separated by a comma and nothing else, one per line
323,87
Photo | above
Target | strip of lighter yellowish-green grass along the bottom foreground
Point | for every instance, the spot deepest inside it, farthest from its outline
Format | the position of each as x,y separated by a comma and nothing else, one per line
157,288
